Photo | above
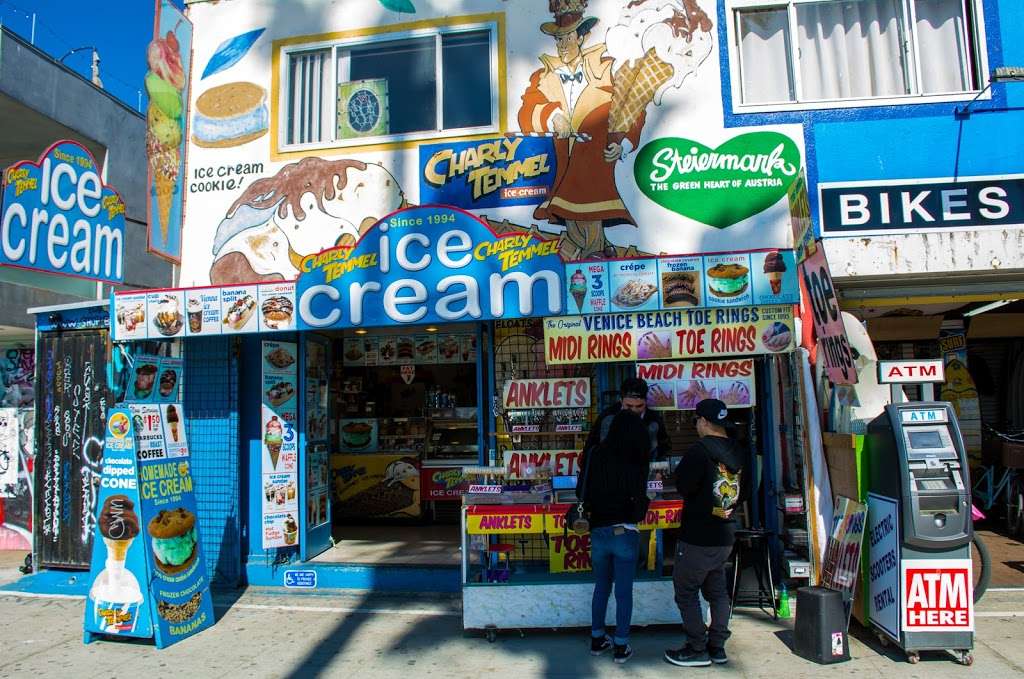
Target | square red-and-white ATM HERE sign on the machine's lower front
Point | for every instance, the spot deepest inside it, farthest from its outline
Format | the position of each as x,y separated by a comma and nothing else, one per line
937,596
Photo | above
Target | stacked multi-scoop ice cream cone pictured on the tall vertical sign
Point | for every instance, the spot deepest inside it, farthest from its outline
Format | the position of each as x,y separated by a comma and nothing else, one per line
164,83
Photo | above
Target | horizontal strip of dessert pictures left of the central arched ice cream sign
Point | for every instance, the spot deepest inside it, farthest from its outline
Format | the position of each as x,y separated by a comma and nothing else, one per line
199,312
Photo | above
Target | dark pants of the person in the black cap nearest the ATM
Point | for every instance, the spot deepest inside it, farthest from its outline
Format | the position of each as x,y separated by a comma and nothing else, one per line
703,570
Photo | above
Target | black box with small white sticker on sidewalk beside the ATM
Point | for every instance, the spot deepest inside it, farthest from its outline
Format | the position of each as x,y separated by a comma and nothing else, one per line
821,628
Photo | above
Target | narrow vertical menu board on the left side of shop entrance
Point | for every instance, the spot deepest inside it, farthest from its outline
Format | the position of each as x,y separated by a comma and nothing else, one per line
280,446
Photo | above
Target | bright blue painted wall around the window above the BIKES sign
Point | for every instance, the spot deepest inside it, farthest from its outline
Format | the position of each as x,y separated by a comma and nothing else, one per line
911,141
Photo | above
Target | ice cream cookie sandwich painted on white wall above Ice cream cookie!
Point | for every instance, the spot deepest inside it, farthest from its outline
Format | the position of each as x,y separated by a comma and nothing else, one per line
230,115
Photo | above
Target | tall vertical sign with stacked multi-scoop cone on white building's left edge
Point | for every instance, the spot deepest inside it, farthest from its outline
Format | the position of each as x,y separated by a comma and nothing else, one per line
168,59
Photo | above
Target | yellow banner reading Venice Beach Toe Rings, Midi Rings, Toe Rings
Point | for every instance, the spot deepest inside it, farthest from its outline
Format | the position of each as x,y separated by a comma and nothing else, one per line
673,334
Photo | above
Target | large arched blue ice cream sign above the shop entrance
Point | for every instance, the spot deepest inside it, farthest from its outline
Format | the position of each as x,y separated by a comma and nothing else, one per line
430,265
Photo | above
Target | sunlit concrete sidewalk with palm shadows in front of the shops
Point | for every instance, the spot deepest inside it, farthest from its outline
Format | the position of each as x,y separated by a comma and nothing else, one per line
270,634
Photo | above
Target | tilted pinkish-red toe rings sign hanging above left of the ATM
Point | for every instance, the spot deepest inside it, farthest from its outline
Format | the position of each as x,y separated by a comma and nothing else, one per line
829,319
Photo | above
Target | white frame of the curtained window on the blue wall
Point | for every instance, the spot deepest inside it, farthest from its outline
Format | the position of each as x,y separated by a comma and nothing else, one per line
914,67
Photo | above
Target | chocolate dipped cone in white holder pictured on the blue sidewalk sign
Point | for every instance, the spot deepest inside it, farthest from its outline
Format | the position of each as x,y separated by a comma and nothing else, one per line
116,595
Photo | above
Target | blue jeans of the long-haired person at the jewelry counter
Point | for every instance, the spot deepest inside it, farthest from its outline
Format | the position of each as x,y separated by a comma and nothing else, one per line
615,562
